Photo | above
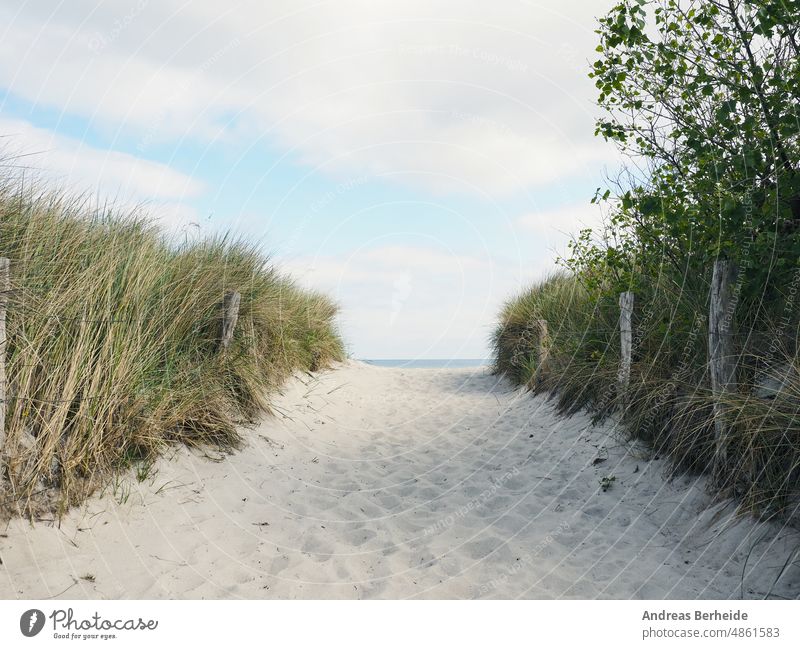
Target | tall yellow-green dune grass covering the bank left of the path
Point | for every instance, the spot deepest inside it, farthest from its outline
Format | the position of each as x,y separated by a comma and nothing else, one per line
113,343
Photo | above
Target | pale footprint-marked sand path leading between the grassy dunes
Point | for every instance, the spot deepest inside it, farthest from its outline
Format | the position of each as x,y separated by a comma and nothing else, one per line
397,483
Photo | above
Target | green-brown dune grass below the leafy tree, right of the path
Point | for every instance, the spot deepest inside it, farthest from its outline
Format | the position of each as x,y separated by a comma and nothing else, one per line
669,404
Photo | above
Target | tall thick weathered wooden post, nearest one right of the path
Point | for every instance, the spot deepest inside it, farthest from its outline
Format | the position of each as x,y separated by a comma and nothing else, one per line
721,359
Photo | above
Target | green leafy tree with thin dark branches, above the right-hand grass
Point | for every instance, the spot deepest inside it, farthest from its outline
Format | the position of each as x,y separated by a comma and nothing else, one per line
703,97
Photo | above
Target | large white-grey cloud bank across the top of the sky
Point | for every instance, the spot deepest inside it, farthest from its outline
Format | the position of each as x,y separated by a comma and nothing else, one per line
449,96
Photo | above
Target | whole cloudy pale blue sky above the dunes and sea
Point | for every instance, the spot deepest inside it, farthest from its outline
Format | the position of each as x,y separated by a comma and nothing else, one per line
420,161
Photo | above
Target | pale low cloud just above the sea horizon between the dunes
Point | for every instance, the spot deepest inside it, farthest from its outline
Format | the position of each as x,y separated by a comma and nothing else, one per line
414,301
